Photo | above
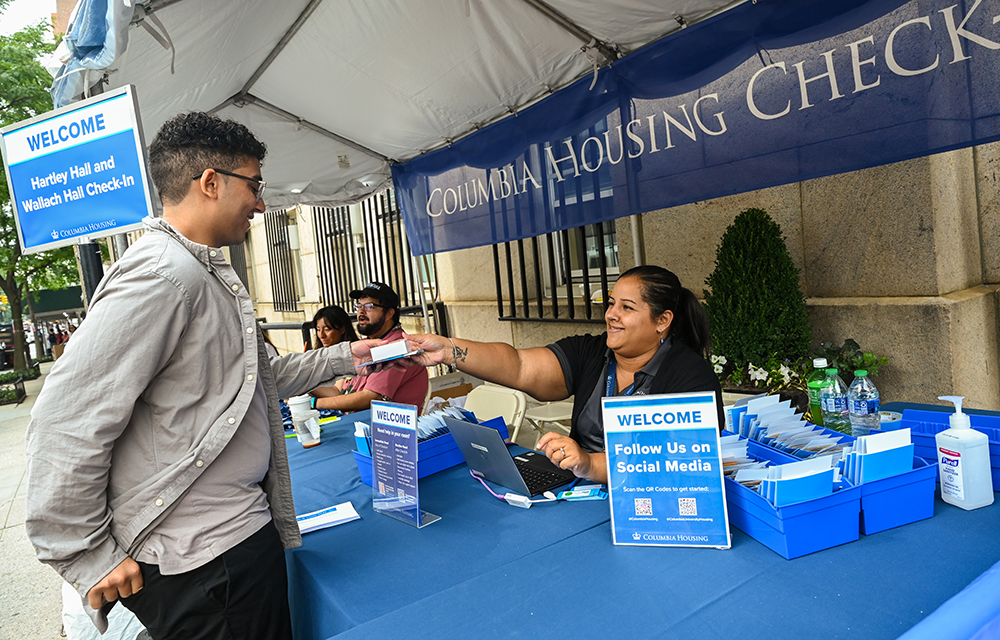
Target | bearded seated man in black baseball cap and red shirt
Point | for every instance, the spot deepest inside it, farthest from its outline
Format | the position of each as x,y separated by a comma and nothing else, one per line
378,317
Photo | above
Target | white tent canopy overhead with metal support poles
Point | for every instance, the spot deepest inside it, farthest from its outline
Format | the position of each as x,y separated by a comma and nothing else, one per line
341,89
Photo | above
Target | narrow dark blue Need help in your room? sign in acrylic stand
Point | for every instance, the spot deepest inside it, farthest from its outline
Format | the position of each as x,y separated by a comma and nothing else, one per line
395,486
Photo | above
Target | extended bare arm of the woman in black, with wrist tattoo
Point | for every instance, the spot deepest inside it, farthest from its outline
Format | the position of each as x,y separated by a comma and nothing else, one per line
534,371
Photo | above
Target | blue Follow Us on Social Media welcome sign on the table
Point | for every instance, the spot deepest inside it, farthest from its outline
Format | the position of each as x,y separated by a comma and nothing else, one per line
665,471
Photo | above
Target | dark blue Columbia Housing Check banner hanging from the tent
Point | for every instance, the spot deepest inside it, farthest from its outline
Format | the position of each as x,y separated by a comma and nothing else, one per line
767,93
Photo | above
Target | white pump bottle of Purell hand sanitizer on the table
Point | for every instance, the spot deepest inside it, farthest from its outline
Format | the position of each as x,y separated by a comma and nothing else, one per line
964,462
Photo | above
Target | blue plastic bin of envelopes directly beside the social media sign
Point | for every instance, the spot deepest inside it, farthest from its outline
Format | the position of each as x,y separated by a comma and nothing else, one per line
798,529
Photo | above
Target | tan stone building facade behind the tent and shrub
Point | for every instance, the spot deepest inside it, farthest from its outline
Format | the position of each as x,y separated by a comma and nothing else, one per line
904,258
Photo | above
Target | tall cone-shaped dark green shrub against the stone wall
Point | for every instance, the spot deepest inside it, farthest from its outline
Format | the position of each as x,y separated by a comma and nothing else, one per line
755,307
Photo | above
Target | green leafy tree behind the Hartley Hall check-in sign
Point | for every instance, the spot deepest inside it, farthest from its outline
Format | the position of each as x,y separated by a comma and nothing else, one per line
24,93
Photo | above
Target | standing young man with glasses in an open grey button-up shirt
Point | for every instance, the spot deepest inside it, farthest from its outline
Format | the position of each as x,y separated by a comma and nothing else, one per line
156,470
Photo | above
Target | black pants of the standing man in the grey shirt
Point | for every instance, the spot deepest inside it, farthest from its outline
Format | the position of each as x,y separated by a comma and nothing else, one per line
241,595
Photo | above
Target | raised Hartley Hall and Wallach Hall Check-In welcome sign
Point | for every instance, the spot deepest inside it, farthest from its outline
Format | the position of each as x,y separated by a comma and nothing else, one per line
77,172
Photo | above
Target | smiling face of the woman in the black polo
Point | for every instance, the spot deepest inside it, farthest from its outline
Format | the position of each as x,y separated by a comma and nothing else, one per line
632,331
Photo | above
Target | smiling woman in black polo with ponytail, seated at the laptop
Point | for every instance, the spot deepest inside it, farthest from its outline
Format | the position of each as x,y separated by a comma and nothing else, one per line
657,341
